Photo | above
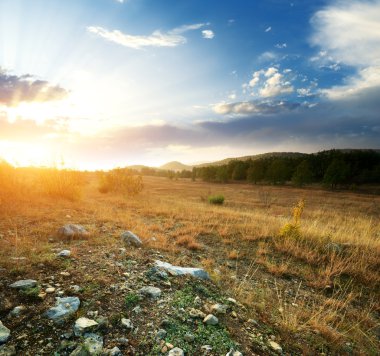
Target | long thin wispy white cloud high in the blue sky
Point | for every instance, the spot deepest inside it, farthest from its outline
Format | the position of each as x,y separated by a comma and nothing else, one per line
172,38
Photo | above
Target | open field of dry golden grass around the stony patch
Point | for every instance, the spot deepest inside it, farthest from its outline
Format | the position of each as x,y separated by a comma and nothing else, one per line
315,289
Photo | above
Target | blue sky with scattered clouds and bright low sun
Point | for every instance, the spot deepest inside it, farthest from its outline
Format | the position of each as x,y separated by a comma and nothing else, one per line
106,83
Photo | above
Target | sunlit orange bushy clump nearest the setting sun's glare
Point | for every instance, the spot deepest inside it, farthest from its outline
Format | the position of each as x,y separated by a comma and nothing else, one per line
56,183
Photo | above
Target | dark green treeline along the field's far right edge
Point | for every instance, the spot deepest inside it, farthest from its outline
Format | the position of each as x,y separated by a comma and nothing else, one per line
331,168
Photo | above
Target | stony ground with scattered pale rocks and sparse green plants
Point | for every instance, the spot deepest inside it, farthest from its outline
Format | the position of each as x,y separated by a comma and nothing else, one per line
108,283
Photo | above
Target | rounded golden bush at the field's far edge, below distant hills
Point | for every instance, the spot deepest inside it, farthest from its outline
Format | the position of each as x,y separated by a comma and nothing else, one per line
120,180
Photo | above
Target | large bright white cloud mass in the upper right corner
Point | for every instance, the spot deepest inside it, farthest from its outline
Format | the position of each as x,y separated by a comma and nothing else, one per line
349,32
